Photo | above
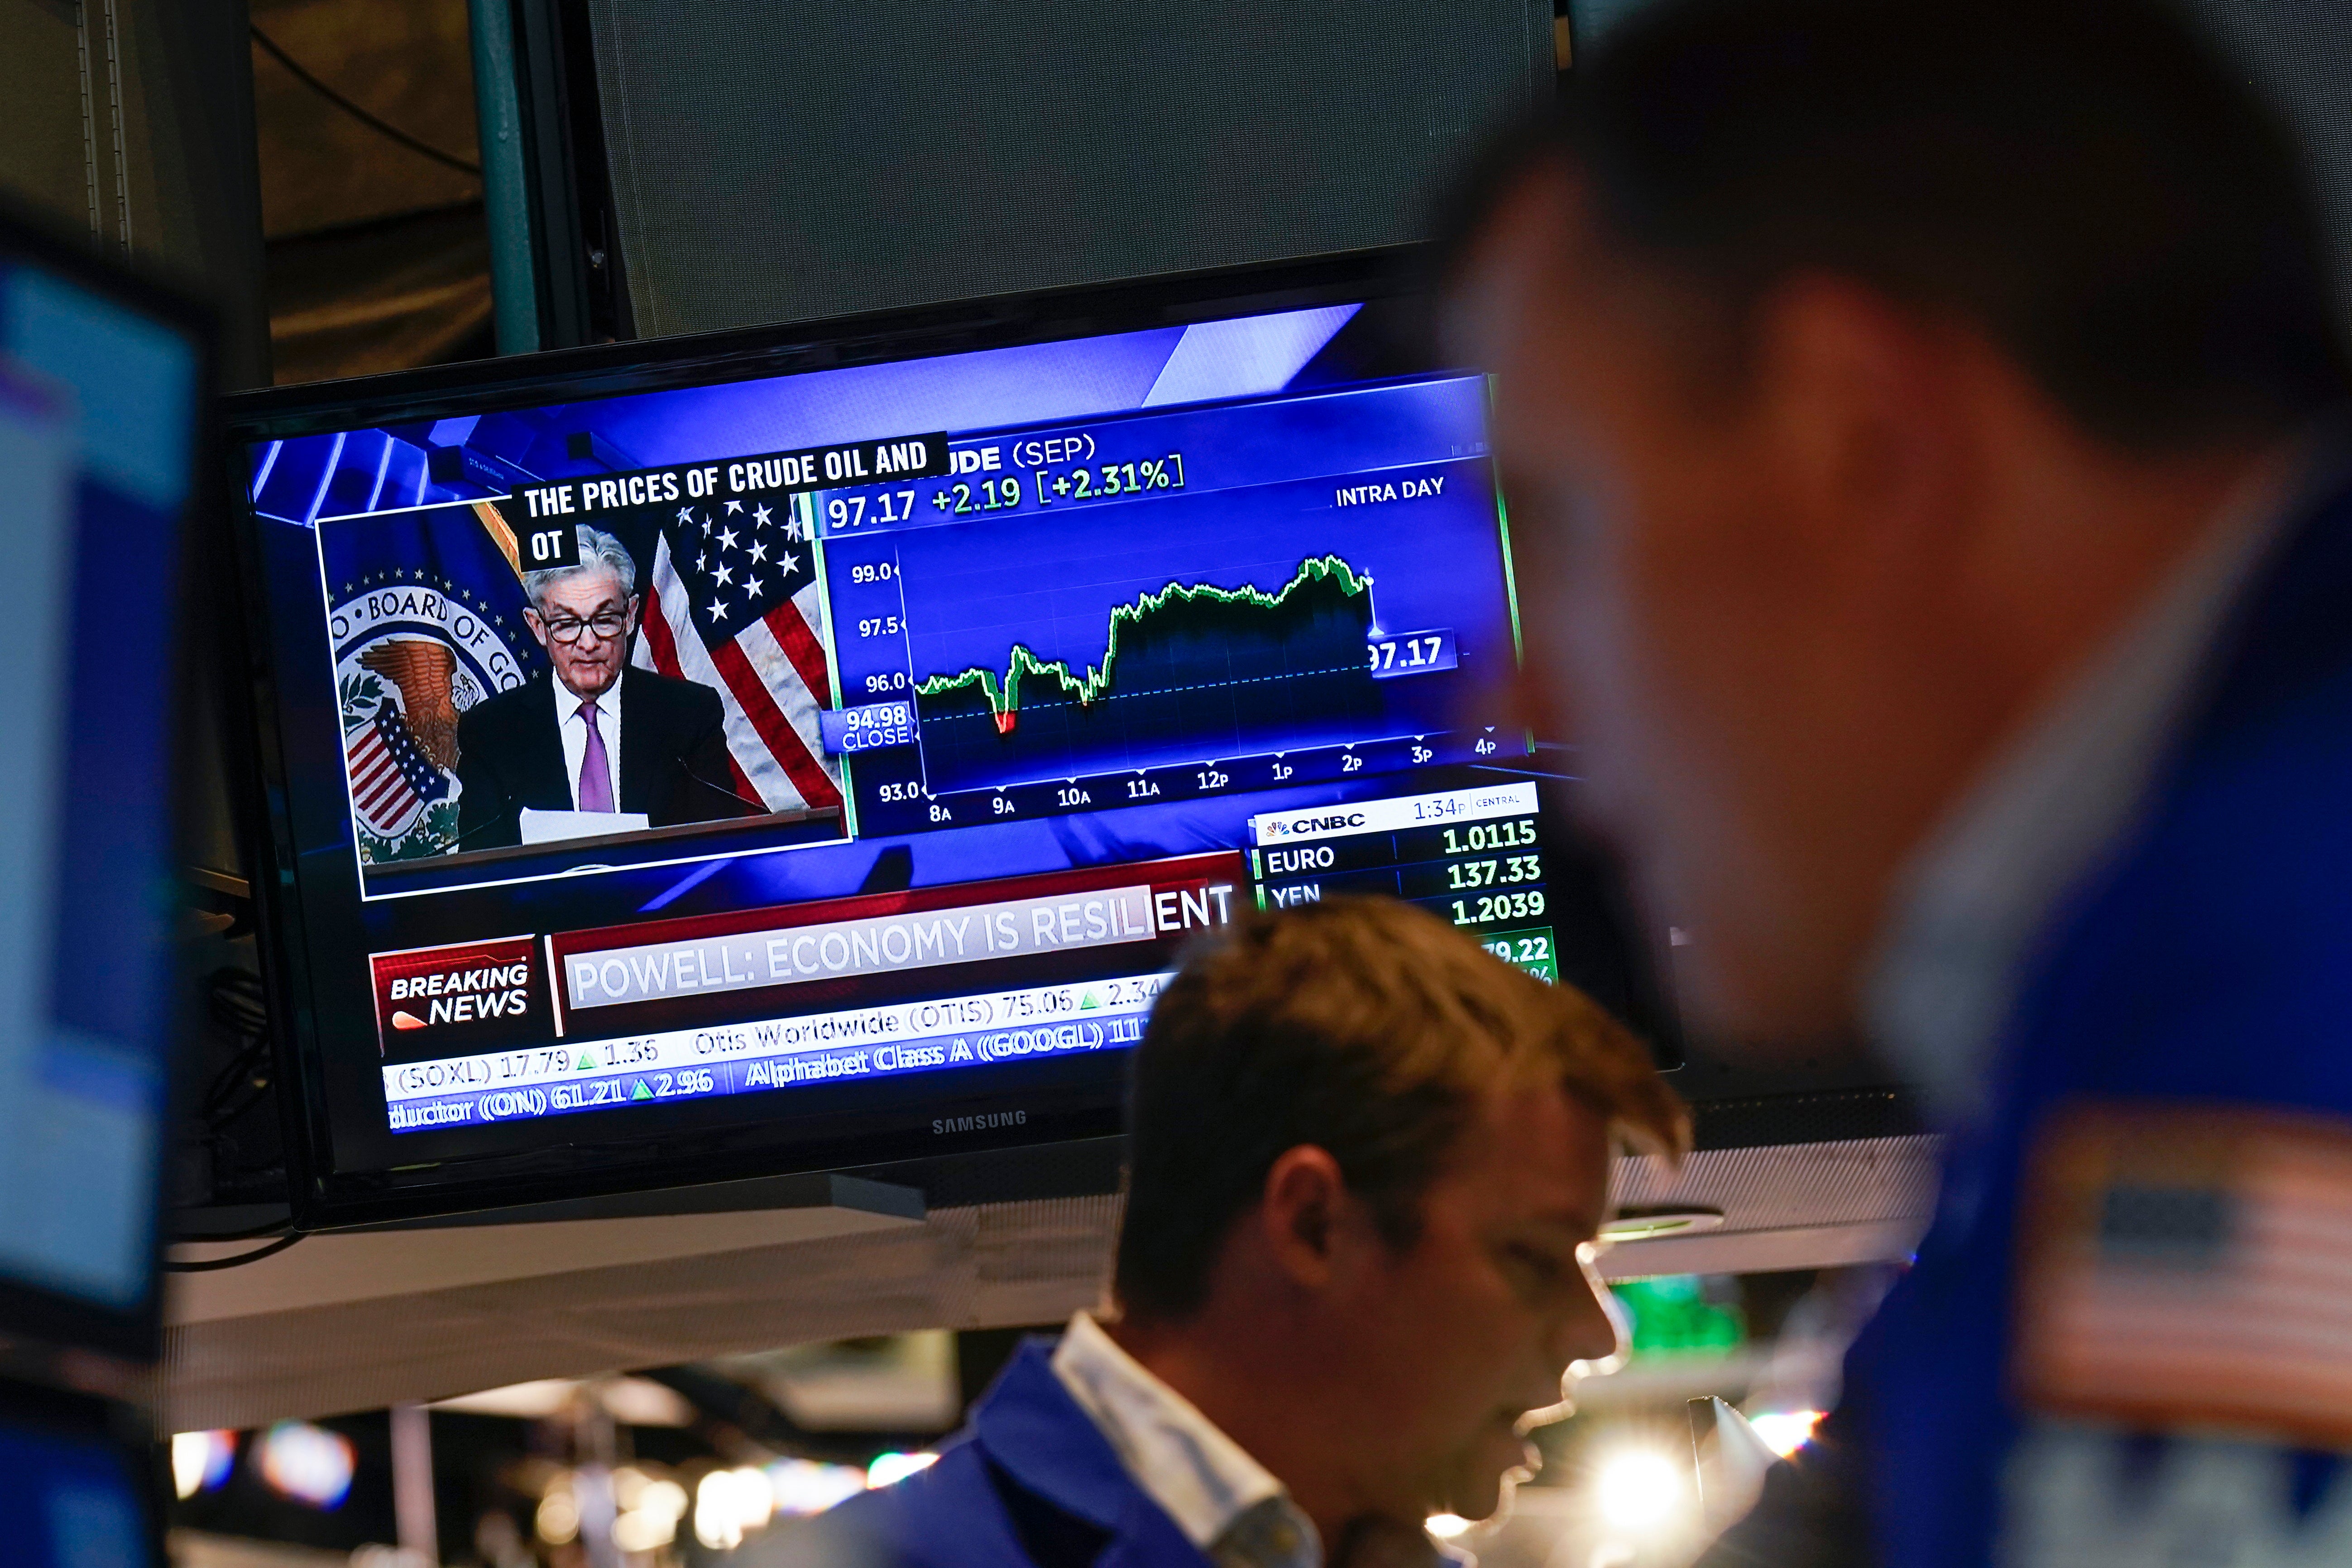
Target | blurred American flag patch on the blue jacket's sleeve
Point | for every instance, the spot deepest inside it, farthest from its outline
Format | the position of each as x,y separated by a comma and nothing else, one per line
2191,1268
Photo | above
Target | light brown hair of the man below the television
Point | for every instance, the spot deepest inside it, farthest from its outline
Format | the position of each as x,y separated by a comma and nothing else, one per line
1361,1026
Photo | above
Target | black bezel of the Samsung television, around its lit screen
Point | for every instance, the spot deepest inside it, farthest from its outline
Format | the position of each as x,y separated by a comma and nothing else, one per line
1062,1101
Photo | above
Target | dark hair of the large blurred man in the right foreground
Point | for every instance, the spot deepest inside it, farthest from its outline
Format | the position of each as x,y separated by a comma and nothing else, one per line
2080,180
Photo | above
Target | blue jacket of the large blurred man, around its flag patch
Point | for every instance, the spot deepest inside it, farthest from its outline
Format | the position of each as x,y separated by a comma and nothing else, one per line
2210,965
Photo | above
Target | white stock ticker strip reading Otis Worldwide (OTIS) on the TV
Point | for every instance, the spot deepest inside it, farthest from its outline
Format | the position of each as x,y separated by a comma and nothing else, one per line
737,1043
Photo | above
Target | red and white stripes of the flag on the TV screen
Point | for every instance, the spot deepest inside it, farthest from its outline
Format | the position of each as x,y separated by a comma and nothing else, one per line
770,678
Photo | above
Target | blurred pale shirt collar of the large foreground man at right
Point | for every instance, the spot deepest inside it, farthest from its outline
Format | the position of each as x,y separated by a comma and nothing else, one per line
1982,894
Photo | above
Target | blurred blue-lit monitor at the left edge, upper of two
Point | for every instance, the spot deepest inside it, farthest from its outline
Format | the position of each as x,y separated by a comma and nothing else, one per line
100,408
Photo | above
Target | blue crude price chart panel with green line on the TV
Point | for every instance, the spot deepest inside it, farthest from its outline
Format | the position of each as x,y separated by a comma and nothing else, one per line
1168,608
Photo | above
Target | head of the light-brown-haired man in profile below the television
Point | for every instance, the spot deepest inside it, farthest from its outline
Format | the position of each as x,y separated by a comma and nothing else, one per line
1368,1167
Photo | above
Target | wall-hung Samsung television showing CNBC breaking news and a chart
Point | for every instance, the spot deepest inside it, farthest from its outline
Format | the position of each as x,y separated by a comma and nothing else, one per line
813,749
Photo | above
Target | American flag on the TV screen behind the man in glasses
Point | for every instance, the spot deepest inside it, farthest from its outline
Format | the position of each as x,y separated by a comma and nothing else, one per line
735,605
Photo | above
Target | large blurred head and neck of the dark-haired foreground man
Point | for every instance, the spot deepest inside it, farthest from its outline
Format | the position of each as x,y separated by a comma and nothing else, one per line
1862,368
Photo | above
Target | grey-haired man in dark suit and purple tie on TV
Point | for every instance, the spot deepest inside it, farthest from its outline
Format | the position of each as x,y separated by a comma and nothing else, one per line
592,735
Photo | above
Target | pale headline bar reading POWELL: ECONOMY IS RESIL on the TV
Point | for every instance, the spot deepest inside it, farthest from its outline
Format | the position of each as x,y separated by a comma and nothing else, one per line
883,944
